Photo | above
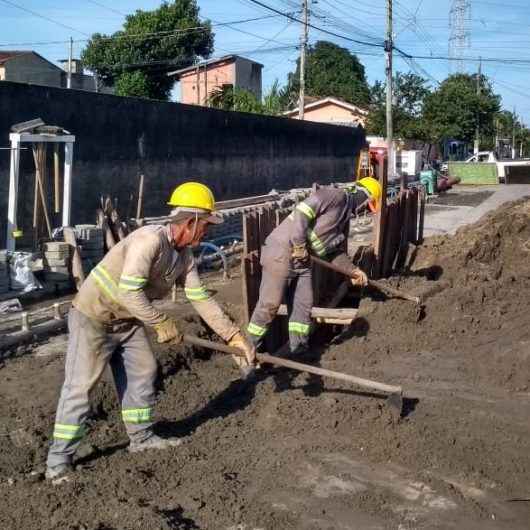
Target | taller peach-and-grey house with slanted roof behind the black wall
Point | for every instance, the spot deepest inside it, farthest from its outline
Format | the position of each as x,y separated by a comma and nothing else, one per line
197,82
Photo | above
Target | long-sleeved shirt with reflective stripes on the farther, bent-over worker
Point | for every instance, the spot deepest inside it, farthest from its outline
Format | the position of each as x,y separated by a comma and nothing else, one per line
321,221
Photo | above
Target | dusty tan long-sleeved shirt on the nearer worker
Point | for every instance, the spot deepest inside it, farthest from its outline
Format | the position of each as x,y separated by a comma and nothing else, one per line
141,268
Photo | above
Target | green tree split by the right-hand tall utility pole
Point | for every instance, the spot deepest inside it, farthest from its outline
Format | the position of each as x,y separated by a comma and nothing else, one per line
410,91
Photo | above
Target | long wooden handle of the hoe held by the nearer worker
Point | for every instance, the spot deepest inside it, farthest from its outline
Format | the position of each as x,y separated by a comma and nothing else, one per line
271,359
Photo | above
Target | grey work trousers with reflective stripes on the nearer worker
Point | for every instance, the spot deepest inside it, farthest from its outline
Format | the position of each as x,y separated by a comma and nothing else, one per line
91,347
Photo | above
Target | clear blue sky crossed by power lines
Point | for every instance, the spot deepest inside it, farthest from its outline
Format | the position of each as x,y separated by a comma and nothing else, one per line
499,32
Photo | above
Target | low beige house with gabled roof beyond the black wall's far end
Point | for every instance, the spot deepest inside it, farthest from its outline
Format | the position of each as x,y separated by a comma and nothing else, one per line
331,110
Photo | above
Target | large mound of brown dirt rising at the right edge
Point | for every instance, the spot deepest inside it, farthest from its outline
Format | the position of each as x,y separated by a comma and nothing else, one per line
476,291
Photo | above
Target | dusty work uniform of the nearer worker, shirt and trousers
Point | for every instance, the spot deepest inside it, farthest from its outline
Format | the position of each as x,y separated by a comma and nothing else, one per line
106,325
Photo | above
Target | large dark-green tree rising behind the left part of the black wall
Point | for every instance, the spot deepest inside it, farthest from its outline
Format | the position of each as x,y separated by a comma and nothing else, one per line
151,43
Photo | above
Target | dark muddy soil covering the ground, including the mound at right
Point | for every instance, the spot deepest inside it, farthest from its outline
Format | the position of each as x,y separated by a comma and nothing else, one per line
298,452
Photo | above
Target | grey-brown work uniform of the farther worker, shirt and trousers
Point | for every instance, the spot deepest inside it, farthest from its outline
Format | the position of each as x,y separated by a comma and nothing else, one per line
321,222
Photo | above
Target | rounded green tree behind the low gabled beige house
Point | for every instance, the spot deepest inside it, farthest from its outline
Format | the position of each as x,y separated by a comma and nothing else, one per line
330,71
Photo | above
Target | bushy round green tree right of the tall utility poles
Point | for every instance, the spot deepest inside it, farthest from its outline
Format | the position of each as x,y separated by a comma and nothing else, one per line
454,109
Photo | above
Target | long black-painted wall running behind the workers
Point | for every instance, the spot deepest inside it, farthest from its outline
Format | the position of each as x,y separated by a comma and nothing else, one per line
236,154
